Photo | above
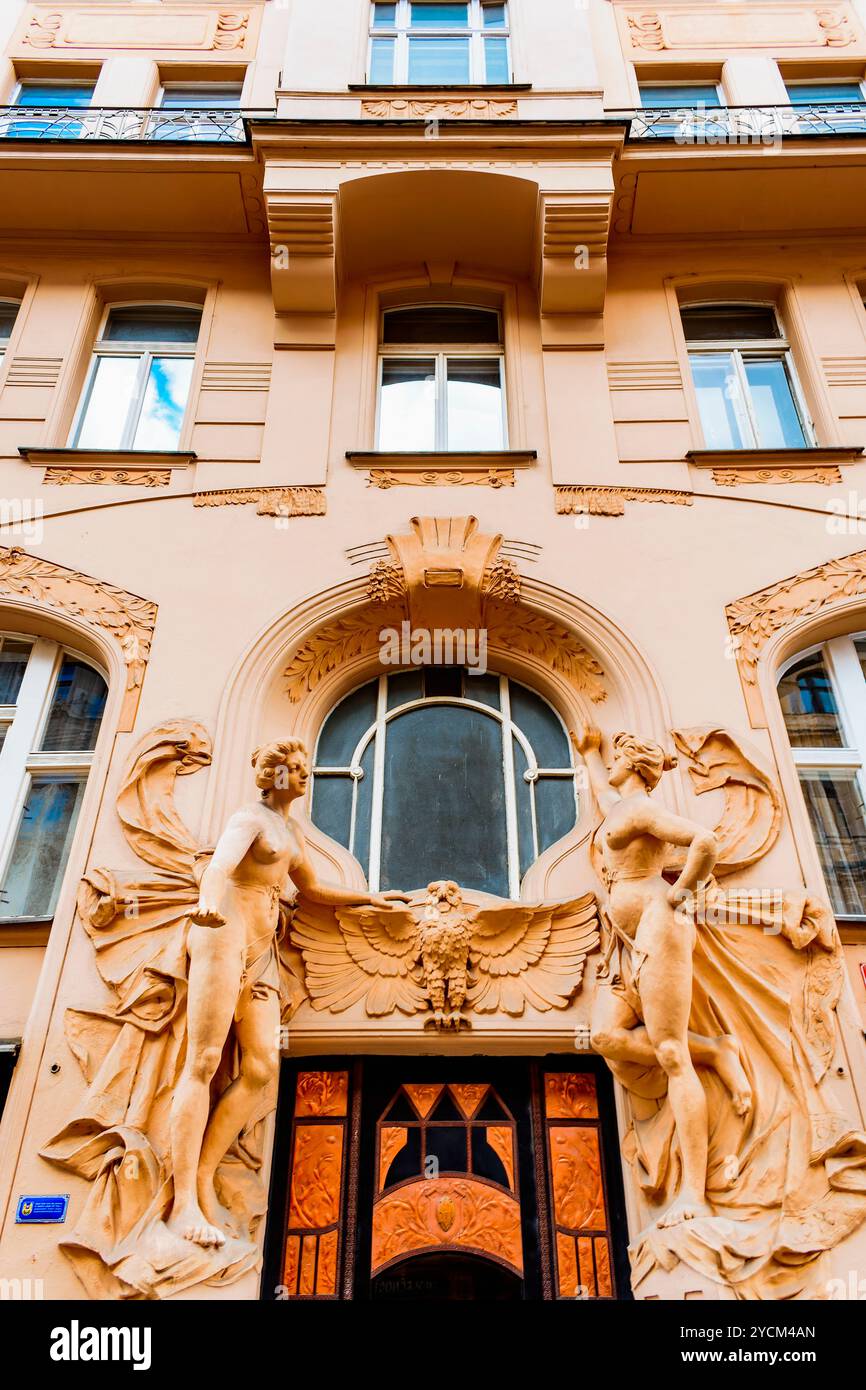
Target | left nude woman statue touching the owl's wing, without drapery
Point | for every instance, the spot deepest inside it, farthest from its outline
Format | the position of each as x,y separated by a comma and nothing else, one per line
234,981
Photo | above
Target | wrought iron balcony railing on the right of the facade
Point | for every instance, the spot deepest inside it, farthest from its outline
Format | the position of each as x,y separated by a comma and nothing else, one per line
747,124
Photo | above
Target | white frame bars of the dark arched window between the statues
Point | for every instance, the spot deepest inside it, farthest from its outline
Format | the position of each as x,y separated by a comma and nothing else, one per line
522,842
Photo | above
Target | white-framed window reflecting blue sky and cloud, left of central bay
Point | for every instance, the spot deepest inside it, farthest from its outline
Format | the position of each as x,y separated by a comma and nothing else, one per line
138,386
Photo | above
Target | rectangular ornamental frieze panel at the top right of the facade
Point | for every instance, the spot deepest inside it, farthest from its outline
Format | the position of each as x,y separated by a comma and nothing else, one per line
740,27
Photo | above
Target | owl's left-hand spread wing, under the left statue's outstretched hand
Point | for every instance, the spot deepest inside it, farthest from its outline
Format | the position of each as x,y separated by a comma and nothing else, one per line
357,954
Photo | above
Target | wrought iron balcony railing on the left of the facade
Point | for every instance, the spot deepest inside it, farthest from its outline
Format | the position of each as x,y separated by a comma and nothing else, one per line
101,123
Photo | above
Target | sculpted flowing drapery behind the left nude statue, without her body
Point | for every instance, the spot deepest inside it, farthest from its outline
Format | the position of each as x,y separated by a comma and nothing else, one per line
131,1054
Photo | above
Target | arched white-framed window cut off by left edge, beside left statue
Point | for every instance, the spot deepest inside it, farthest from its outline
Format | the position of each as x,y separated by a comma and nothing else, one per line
52,705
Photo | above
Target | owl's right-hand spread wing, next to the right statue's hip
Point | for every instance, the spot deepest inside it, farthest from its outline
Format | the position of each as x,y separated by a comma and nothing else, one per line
523,954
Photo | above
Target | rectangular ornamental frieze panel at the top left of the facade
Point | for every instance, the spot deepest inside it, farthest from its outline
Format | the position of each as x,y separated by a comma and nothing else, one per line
138,27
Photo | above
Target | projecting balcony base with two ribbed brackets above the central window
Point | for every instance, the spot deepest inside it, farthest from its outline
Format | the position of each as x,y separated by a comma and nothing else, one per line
519,201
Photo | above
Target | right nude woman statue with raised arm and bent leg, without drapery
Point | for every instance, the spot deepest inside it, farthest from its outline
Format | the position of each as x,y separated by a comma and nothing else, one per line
643,1018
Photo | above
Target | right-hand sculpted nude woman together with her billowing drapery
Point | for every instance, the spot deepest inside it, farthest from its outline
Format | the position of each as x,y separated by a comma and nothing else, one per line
718,1013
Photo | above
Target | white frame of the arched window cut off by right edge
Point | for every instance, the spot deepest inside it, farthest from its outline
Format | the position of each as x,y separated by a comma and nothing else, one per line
849,685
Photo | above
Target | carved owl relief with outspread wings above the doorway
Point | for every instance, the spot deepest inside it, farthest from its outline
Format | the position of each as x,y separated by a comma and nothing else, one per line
447,956
